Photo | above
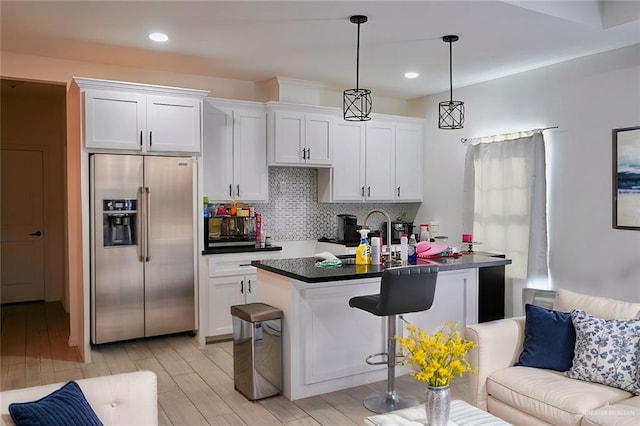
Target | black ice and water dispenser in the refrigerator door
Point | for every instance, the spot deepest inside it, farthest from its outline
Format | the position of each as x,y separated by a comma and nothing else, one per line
119,220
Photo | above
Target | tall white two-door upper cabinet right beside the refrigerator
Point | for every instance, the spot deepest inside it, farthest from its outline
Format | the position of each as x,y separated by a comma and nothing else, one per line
235,151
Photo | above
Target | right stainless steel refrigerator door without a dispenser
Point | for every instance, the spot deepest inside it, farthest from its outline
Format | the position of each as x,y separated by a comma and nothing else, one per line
169,270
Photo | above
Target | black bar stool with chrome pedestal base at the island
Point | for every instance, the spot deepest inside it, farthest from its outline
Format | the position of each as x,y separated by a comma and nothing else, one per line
402,290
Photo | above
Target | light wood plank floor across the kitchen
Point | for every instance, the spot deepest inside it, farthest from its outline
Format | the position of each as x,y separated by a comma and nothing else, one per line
195,384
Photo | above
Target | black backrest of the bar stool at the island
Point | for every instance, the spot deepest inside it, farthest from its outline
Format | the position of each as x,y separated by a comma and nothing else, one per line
407,289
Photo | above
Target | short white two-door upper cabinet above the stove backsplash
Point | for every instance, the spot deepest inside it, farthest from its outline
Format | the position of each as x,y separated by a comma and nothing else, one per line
299,135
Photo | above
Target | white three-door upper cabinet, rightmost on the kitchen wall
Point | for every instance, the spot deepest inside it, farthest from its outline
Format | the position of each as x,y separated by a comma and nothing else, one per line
377,161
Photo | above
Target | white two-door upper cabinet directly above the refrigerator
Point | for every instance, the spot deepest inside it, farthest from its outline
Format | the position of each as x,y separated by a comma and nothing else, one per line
140,117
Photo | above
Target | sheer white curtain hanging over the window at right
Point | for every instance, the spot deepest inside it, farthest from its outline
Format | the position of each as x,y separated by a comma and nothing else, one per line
505,207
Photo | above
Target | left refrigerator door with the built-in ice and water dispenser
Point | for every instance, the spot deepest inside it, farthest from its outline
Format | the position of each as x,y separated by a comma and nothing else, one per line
117,284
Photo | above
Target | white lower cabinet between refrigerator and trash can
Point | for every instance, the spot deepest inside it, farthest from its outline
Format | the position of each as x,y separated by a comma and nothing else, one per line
230,280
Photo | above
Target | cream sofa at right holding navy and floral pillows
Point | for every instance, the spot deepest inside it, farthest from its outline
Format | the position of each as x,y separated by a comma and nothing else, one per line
535,396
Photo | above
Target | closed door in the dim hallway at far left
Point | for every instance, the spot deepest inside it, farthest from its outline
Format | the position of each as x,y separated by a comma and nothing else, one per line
22,247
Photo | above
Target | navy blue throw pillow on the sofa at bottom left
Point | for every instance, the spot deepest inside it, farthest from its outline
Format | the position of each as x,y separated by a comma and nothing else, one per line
64,407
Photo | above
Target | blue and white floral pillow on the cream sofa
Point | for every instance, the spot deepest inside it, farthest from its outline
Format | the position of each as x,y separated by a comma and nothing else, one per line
606,351
